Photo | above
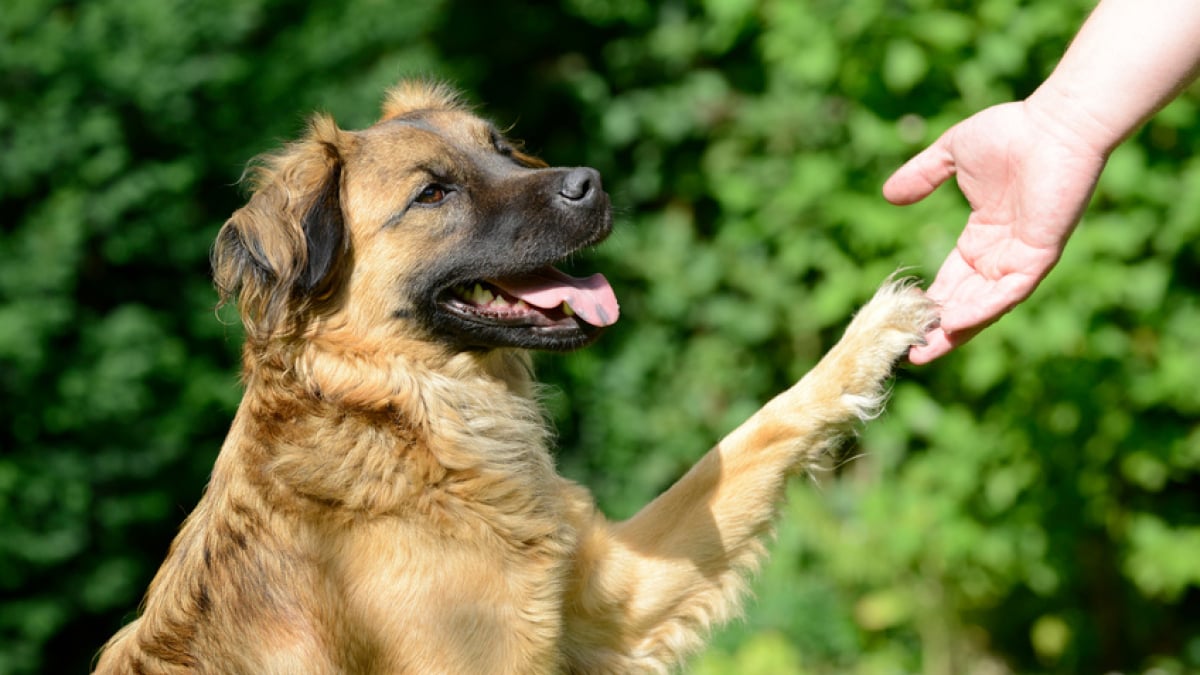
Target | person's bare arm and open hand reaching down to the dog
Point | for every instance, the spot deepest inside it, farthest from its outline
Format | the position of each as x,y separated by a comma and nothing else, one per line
1029,169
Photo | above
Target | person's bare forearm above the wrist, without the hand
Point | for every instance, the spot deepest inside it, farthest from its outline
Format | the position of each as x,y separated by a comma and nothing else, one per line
1130,59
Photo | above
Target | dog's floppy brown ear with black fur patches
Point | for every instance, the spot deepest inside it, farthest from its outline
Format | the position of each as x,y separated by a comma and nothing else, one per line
280,254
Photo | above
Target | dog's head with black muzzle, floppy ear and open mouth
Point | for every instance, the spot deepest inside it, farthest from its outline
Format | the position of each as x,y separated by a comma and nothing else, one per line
429,223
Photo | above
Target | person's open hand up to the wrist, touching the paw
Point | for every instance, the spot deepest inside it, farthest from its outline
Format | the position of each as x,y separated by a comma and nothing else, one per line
1028,180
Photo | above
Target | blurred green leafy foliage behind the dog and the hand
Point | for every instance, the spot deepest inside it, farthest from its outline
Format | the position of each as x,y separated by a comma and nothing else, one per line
1028,505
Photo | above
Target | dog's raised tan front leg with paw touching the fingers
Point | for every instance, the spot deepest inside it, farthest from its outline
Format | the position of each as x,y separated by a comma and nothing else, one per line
650,589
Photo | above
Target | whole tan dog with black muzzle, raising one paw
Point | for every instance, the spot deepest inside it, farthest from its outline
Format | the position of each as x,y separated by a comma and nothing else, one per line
386,501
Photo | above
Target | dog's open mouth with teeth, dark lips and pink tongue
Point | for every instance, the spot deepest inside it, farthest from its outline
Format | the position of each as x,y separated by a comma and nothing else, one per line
555,309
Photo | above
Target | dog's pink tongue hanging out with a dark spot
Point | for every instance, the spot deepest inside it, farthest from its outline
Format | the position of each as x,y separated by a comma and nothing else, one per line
591,298
